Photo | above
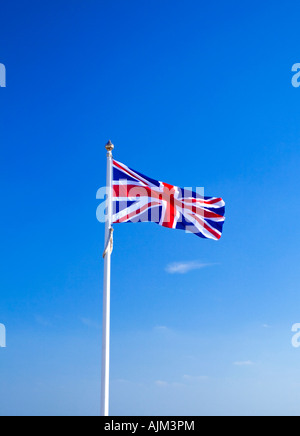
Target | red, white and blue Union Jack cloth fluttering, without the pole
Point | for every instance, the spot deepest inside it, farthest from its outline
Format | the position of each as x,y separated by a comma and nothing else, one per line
137,198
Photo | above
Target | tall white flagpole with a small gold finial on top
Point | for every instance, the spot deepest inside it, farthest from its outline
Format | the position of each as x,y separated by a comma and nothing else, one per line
106,288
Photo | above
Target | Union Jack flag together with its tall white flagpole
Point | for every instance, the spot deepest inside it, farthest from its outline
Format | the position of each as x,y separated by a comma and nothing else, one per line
133,197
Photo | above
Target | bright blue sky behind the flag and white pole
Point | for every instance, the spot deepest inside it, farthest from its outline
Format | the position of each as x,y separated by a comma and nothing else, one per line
192,93
